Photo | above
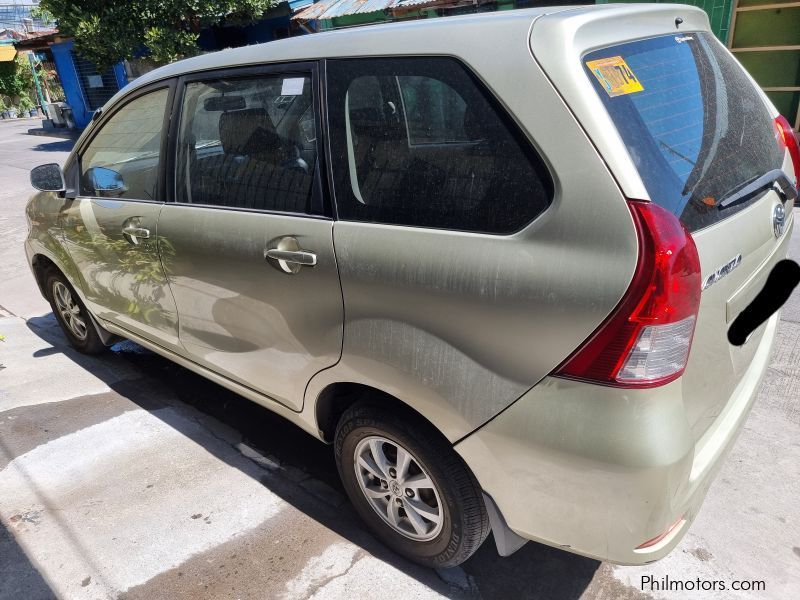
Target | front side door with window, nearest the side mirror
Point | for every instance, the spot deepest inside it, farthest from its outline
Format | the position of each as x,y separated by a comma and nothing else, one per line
110,223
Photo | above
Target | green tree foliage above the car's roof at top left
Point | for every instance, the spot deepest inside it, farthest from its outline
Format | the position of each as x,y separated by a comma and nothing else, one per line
108,31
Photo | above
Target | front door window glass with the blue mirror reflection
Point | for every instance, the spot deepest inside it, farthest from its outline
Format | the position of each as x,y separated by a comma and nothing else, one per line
122,160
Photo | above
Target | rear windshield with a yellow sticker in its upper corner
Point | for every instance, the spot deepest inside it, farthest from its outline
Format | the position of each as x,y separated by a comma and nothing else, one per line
694,124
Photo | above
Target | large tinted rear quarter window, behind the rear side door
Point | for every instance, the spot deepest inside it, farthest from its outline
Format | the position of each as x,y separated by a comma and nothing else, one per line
416,141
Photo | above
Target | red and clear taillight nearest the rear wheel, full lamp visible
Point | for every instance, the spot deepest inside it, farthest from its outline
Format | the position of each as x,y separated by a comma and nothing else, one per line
645,342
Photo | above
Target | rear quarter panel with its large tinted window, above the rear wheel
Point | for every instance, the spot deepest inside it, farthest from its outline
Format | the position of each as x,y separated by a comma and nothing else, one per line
460,290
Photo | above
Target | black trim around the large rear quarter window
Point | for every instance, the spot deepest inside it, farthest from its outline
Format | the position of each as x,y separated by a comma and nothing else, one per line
538,160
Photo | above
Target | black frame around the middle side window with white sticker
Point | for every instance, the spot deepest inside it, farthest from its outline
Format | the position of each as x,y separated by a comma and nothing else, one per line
320,199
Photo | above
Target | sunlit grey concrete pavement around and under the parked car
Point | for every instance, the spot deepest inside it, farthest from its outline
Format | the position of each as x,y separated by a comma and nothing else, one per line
126,476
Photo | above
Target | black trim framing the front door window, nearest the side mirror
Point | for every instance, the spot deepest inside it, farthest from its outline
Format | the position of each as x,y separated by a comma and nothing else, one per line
106,115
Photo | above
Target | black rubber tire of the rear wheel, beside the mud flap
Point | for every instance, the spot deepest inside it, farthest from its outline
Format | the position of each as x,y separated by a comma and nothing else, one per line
465,521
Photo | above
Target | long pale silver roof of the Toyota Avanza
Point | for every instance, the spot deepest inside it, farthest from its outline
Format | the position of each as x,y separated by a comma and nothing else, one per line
470,38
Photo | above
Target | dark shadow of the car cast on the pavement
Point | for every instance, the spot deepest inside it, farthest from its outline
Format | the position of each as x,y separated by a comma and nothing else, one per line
535,571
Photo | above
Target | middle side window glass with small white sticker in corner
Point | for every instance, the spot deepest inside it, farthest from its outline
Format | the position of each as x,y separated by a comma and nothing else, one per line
248,143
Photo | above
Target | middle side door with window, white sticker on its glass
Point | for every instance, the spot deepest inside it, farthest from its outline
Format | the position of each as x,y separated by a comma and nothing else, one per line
250,261
